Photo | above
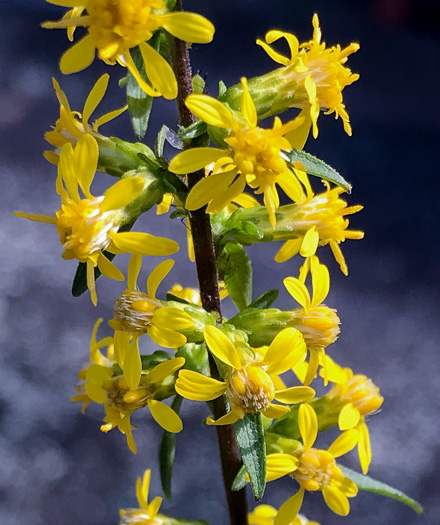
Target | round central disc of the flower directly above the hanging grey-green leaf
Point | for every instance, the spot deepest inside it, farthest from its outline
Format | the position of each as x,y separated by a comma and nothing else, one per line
250,388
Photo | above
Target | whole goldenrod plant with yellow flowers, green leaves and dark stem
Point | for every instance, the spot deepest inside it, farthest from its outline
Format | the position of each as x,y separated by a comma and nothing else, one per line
236,172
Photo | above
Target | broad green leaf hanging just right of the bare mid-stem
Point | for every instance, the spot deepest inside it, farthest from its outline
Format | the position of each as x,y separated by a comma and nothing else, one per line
236,270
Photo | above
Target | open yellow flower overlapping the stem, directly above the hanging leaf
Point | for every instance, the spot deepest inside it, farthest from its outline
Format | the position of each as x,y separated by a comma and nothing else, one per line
248,384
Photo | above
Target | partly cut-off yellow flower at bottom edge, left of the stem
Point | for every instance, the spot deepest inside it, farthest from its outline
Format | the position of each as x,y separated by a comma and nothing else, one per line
147,513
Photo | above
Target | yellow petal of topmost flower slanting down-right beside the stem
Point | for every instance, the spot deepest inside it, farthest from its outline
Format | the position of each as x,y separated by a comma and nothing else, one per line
159,72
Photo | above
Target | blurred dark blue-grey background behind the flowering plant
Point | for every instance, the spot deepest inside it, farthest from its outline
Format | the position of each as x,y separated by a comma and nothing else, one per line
56,467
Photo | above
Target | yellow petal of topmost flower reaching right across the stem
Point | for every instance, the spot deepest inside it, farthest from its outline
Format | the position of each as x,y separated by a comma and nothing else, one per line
190,27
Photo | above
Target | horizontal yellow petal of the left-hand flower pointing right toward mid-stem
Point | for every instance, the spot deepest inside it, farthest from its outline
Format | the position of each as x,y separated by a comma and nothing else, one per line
144,243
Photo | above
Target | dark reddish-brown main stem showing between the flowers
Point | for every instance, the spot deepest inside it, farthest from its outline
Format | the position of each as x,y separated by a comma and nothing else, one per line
208,282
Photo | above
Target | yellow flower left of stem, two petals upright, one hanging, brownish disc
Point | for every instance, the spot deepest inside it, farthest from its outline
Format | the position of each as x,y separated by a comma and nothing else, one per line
137,313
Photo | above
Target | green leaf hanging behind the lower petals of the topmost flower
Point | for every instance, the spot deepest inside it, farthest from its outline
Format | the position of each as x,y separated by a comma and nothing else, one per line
139,103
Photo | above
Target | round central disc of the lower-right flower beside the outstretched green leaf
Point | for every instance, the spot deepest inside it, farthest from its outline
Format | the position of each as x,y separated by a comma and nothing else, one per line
316,469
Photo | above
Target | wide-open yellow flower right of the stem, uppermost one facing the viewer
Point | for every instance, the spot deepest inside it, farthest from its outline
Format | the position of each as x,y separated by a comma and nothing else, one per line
255,156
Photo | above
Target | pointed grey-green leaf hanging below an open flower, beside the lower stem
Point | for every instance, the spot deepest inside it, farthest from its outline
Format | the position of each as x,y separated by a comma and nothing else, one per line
249,434
